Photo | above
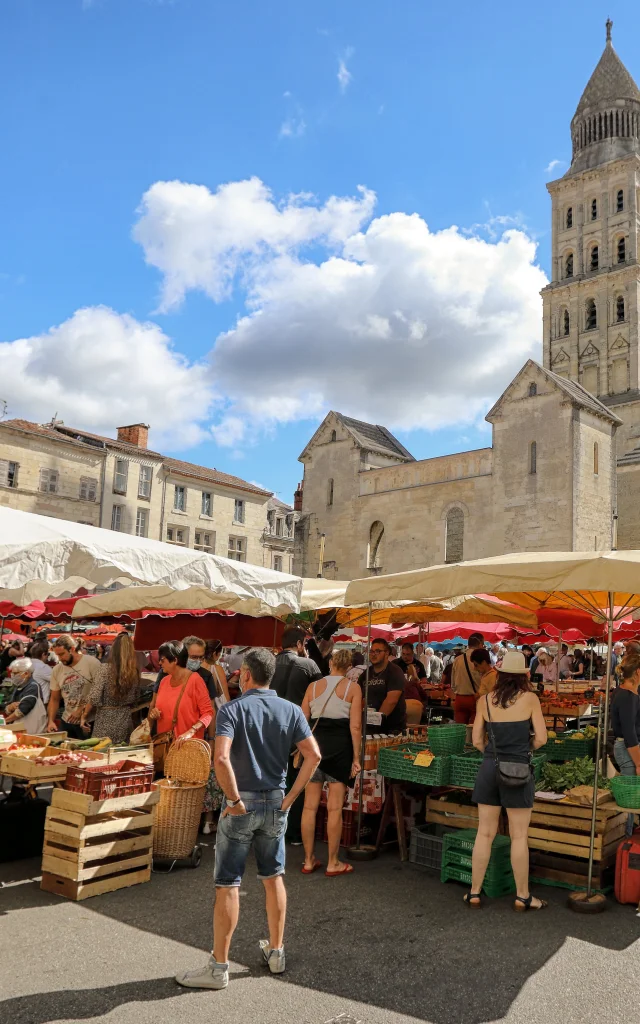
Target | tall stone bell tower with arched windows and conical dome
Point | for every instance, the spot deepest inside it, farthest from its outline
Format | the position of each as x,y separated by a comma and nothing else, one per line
591,305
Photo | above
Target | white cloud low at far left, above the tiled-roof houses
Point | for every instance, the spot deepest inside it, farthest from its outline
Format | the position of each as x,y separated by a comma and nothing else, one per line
101,369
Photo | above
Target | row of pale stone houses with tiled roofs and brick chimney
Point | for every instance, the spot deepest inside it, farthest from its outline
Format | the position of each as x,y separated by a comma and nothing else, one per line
119,484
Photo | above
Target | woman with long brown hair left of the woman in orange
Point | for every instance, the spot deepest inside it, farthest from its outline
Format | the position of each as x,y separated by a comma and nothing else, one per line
115,693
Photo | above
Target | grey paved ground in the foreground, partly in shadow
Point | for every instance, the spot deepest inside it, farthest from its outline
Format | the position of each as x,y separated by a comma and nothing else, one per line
389,946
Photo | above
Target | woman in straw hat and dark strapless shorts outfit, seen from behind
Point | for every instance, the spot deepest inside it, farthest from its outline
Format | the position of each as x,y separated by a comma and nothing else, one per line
502,732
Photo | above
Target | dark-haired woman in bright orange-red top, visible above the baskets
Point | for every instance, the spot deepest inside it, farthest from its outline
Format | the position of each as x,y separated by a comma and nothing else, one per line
195,711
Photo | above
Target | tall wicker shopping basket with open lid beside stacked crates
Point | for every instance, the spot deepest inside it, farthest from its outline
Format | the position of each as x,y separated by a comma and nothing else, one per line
182,800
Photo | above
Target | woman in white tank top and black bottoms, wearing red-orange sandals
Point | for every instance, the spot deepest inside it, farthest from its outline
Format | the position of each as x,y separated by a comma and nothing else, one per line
334,708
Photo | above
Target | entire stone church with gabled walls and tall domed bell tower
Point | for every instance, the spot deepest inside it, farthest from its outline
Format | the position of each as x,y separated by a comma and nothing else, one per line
566,449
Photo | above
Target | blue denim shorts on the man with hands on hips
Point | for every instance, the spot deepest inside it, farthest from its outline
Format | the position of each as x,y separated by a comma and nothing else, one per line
264,828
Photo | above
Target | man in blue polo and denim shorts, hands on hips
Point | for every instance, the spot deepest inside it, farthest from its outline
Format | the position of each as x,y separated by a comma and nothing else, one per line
254,737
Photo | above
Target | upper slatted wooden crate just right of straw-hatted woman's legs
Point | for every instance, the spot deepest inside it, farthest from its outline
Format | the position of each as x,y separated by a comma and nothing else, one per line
565,829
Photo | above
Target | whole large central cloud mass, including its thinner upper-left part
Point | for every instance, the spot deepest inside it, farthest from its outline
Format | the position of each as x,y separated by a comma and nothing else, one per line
390,322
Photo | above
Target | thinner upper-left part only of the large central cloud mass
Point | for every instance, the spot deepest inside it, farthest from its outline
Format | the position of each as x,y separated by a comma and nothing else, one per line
203,240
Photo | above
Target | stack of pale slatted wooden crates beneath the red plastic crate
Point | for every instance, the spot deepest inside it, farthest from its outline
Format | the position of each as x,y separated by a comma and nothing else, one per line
95,847
